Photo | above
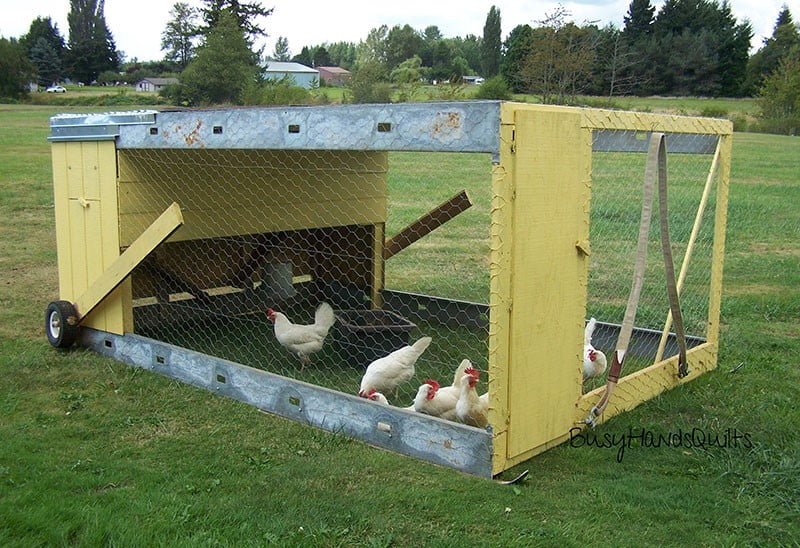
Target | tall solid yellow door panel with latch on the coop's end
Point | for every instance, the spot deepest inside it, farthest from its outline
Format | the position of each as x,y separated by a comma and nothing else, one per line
552,173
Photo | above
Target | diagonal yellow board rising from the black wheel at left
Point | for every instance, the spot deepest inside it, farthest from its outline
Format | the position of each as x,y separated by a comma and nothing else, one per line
110,278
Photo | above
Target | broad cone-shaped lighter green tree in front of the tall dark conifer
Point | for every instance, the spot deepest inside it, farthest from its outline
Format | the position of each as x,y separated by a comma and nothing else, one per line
223,68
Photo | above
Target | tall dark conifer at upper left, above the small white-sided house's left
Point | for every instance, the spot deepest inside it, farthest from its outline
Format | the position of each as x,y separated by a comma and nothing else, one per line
91,45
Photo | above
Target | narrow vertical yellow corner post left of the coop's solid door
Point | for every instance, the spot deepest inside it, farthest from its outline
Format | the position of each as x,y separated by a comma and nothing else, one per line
501,238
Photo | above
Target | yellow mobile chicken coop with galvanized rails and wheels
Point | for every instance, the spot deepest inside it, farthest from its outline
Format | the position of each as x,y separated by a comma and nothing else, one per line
496,228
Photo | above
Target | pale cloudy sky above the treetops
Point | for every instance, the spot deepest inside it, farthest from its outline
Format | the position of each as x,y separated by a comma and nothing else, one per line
137,24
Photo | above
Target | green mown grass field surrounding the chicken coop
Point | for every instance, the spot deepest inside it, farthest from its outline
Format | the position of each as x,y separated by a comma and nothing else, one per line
97,453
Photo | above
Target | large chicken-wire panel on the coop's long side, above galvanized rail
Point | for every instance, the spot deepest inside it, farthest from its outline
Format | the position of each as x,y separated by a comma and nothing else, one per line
286,231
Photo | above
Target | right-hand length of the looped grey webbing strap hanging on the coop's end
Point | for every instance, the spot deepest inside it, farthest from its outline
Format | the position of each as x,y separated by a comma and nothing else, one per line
669,266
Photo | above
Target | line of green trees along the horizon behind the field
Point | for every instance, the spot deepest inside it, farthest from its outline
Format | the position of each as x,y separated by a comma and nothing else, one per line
687,47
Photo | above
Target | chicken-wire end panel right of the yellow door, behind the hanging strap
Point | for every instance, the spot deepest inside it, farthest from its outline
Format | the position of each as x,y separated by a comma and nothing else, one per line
617,182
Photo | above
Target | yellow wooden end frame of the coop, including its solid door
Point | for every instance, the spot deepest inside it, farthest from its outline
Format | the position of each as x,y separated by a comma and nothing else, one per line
540,209
